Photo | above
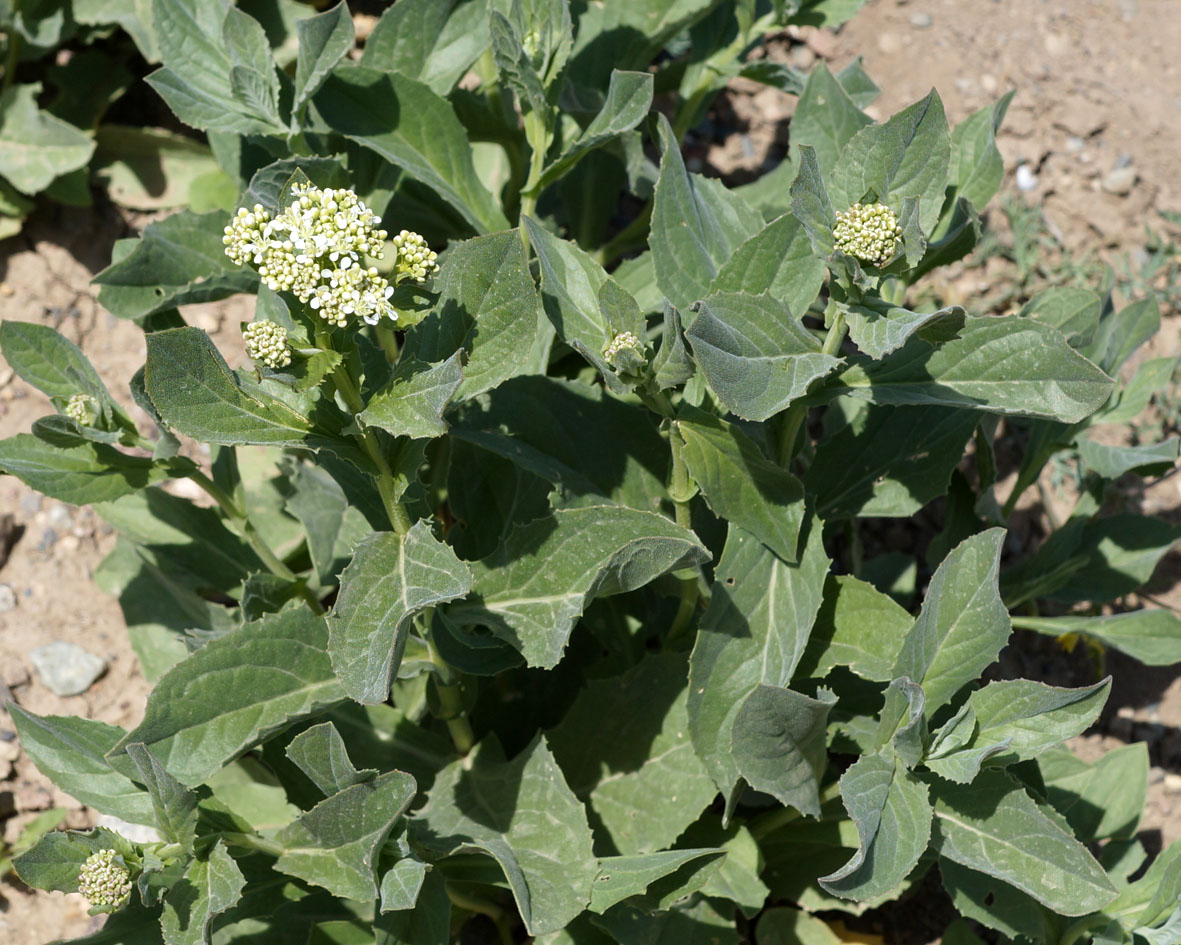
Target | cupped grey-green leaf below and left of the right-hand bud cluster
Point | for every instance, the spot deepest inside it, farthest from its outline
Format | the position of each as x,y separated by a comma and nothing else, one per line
755,356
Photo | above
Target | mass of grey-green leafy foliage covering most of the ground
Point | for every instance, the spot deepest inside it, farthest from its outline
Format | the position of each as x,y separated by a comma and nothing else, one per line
590,512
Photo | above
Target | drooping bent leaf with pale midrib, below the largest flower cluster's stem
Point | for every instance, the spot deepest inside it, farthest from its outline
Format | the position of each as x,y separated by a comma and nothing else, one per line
390,581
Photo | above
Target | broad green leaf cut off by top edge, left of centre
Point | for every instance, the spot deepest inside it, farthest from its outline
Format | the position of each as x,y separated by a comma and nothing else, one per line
432,41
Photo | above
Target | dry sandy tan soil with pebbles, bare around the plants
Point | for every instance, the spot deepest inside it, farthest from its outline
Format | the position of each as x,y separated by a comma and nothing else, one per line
1099,90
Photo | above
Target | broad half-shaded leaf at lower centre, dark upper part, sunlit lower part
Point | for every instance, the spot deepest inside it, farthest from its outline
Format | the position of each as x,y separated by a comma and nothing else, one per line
624,747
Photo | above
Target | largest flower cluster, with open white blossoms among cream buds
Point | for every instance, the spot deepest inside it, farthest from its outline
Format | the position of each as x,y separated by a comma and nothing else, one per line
315,249
